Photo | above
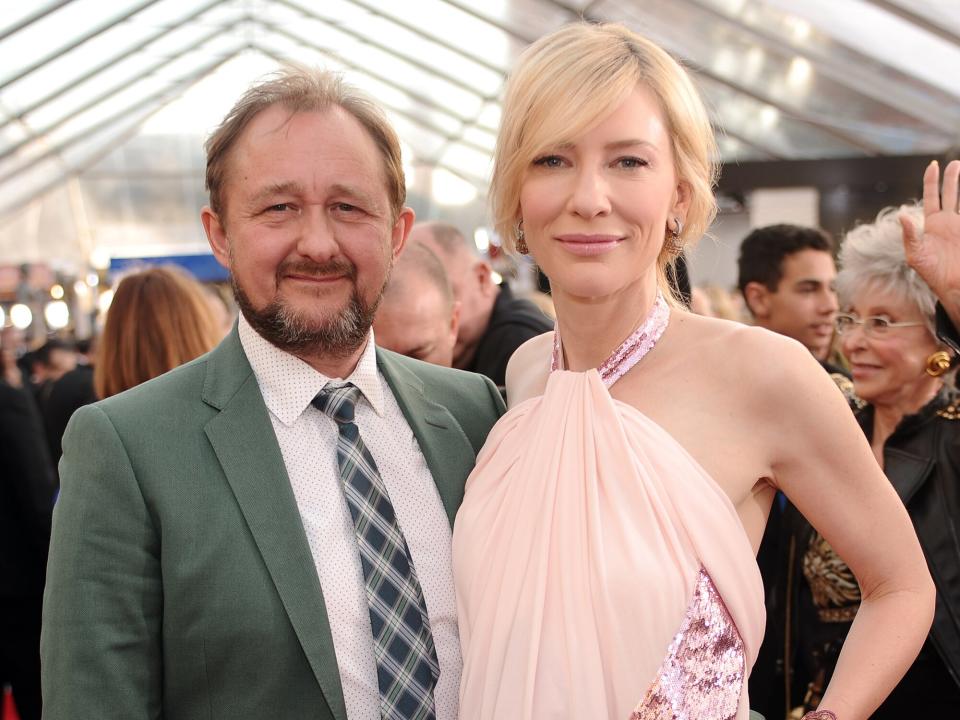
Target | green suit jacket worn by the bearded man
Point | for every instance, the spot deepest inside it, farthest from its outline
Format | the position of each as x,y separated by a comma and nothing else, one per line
180,582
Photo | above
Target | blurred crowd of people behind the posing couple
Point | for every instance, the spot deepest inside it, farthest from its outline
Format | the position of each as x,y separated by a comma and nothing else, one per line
874,328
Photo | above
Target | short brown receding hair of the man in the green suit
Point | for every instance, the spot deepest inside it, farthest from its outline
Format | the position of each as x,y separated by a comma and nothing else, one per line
301,89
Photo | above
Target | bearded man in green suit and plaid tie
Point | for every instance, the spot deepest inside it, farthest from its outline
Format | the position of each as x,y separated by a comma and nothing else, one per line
214,554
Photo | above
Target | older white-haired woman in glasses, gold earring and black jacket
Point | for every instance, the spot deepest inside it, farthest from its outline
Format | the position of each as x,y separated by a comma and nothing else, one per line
912,422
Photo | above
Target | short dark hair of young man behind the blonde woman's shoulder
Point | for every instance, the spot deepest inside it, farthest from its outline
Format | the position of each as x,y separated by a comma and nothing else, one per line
763,251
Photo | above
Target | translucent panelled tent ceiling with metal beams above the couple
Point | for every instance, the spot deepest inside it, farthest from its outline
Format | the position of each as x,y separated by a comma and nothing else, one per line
84,81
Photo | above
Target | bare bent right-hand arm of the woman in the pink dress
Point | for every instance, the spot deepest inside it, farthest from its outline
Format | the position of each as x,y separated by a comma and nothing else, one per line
824,464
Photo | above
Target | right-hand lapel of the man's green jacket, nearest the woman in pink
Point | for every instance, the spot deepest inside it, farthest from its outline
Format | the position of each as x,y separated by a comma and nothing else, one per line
443,443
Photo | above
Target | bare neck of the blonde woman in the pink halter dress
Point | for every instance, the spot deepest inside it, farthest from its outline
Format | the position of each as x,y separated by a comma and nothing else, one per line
592,328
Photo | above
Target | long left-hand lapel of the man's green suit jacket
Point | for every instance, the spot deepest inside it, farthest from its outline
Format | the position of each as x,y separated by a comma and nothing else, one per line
242,437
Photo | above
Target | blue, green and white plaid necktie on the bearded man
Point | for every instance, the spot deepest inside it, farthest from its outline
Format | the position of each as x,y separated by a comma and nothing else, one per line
407,666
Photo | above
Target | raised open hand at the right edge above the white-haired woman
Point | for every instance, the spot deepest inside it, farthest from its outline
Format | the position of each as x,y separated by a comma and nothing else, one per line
935,253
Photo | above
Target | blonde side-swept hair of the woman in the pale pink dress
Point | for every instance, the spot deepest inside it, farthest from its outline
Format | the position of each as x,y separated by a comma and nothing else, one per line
569,81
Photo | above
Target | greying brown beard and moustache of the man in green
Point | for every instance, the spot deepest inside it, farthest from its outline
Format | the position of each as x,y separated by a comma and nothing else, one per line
294,332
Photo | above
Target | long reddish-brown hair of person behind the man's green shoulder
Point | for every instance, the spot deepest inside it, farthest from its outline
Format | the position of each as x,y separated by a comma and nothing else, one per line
159,318
